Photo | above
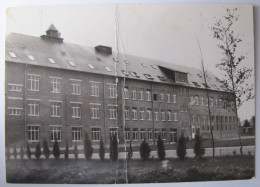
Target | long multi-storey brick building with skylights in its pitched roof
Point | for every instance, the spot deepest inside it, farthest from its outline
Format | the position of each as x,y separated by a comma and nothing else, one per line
61,90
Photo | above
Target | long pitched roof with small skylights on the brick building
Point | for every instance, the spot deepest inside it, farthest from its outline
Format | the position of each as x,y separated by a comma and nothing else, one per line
85,59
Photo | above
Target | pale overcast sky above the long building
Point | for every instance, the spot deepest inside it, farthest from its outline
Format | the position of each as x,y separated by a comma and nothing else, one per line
168,32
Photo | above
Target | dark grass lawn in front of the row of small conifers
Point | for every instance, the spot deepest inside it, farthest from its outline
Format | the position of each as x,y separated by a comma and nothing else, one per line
135,171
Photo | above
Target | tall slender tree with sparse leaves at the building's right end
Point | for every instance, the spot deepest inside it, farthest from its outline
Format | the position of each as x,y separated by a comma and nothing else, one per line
235,73
